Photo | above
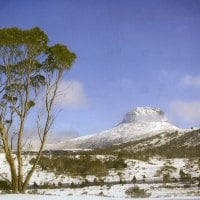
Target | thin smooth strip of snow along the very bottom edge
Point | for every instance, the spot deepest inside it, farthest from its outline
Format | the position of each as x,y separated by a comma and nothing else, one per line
44,197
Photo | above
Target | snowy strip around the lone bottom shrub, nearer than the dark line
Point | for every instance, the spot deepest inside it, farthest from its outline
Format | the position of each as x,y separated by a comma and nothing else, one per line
119,191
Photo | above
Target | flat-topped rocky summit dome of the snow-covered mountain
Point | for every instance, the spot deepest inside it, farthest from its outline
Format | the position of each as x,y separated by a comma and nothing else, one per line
145,114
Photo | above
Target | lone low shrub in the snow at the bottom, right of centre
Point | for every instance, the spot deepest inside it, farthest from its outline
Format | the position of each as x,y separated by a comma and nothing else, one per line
136,192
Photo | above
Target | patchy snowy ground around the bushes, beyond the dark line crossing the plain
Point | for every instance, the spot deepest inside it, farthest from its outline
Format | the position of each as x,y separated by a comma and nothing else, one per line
148,171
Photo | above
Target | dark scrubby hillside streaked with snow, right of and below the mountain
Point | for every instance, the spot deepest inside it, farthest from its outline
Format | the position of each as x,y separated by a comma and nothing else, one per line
170,145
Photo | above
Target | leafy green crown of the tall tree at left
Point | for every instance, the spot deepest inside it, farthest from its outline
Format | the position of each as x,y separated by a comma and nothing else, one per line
27,63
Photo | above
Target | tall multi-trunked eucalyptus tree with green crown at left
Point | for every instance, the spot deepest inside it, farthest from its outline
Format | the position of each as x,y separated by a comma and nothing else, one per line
29,67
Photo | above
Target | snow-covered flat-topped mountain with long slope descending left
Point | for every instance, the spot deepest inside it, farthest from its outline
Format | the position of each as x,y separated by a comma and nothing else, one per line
136,124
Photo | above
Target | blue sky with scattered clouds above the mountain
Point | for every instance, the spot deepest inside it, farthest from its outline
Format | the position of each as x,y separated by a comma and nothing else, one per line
129,53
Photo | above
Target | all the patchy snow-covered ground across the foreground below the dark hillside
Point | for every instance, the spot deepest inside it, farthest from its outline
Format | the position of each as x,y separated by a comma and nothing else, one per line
146,173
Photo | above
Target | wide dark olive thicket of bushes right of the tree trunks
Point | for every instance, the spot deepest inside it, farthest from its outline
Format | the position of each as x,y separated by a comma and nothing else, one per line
82,166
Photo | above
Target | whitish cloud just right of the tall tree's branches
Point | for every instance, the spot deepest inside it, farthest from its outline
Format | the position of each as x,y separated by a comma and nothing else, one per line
71,94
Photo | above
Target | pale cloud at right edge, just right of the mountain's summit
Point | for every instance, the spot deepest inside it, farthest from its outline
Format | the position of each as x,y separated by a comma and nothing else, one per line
188,111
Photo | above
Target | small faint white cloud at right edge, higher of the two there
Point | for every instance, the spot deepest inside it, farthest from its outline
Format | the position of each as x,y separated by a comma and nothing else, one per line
191,81
